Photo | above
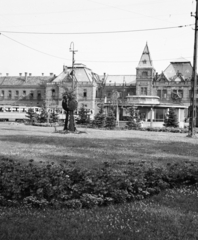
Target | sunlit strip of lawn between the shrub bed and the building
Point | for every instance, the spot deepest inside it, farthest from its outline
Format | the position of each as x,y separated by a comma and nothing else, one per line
91,148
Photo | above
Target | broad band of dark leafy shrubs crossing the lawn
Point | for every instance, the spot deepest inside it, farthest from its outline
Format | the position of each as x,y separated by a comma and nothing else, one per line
64,186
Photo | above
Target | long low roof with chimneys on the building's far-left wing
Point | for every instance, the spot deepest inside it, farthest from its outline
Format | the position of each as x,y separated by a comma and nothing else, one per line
22,81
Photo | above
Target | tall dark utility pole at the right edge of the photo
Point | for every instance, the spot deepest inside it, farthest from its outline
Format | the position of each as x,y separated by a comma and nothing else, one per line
192,108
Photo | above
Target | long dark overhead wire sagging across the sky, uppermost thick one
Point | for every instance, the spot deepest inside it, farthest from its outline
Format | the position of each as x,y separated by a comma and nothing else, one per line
107,32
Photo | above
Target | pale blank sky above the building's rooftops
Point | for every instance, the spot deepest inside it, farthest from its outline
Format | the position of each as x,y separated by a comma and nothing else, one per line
112,53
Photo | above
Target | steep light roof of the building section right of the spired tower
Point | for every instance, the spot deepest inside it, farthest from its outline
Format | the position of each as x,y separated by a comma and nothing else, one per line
179,70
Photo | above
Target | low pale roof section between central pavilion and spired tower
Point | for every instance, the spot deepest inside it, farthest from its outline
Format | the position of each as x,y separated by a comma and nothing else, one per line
120,79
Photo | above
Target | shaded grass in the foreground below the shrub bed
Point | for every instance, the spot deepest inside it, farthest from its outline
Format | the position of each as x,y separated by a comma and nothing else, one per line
171,215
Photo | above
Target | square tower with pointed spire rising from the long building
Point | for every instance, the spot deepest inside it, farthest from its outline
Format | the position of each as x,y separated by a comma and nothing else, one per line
145,73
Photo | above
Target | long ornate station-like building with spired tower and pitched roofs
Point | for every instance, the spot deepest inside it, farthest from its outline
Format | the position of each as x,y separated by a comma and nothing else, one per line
151,92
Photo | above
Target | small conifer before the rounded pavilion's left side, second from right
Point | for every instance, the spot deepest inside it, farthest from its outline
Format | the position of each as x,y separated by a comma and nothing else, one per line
134,119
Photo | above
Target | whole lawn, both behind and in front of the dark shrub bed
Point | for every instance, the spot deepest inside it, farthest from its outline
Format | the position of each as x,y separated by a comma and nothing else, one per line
172,214
